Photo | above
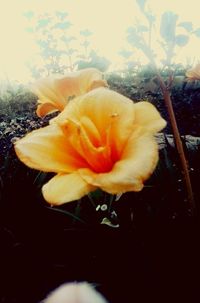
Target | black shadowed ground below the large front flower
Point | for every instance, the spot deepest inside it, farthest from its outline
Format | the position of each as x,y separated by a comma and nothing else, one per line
153,258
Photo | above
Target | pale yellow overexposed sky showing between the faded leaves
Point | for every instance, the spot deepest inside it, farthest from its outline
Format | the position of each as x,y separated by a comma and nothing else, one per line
108,20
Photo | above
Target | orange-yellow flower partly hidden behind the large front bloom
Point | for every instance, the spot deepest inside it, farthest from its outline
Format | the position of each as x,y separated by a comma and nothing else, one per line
54,92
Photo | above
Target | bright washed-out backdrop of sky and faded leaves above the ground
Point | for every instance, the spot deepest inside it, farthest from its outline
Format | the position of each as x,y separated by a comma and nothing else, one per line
42,37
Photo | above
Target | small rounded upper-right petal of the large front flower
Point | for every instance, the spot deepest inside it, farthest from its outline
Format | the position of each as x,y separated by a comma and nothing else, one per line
147,116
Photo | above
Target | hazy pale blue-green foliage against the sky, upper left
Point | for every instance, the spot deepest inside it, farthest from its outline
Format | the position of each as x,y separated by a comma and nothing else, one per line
59,50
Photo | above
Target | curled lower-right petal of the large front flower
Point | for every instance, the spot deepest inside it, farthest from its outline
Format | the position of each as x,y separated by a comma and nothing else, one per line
138,161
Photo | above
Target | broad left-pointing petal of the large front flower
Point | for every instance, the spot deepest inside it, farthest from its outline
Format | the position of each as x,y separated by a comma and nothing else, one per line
48,149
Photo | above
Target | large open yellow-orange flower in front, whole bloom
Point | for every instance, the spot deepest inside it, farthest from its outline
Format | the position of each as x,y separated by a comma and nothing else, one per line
101,140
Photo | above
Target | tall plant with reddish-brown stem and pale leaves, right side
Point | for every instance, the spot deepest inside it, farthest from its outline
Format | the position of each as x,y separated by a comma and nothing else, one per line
170,39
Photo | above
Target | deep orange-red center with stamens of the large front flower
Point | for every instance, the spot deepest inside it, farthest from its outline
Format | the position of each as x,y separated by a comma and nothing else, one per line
85,138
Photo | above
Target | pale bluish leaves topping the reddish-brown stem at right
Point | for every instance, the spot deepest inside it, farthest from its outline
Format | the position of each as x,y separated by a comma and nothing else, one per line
173,34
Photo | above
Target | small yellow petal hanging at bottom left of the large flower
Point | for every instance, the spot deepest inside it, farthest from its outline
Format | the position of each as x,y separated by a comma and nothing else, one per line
64,188
